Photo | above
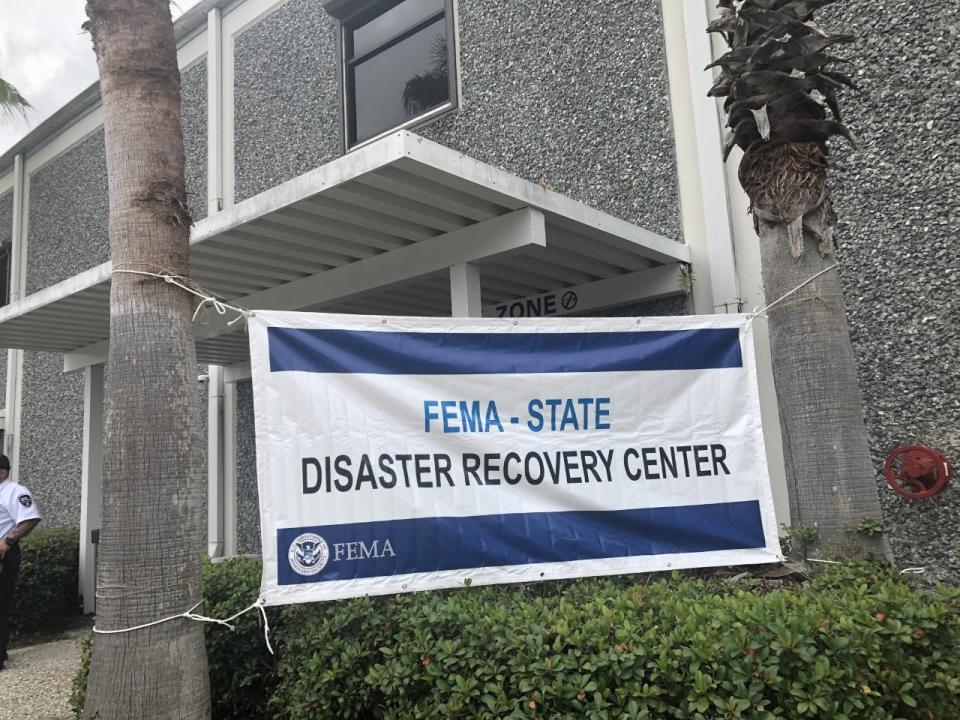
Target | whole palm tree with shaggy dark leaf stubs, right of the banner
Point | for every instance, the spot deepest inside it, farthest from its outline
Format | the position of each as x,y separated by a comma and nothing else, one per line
780,82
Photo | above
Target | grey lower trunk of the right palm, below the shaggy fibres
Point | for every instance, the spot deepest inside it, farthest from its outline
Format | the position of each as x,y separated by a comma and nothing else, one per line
829,471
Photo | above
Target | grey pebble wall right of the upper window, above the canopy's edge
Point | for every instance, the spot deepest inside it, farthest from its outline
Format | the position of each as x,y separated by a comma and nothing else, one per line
572,95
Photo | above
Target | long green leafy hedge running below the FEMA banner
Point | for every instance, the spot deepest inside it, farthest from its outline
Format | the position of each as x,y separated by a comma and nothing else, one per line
859,641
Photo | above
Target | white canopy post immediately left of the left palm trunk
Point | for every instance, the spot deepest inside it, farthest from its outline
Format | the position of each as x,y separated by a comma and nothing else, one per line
91,481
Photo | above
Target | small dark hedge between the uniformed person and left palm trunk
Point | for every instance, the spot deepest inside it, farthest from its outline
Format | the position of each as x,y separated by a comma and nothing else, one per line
47,593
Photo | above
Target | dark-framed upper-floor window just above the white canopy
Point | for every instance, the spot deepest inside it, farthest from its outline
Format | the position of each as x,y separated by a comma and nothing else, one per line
398,66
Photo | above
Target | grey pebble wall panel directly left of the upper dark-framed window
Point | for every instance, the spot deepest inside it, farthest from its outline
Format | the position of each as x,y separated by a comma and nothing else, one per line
286,96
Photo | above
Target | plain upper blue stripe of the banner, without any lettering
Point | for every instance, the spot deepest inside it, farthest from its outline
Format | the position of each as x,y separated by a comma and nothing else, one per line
457,353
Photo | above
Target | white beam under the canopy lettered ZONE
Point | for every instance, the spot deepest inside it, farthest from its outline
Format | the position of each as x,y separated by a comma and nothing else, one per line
658,282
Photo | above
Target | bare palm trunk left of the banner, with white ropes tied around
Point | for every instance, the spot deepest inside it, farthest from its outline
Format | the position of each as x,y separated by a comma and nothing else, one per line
151,541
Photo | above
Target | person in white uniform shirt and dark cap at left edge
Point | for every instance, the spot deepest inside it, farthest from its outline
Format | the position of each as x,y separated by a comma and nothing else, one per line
18,516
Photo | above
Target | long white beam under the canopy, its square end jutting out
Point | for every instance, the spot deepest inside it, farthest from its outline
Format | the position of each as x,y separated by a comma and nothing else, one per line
493,238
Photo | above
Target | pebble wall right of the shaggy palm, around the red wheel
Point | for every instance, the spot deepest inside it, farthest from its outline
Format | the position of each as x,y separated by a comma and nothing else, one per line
898,199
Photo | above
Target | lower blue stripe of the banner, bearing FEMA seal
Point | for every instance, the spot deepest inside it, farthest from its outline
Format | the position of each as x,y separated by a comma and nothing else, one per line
359,550
